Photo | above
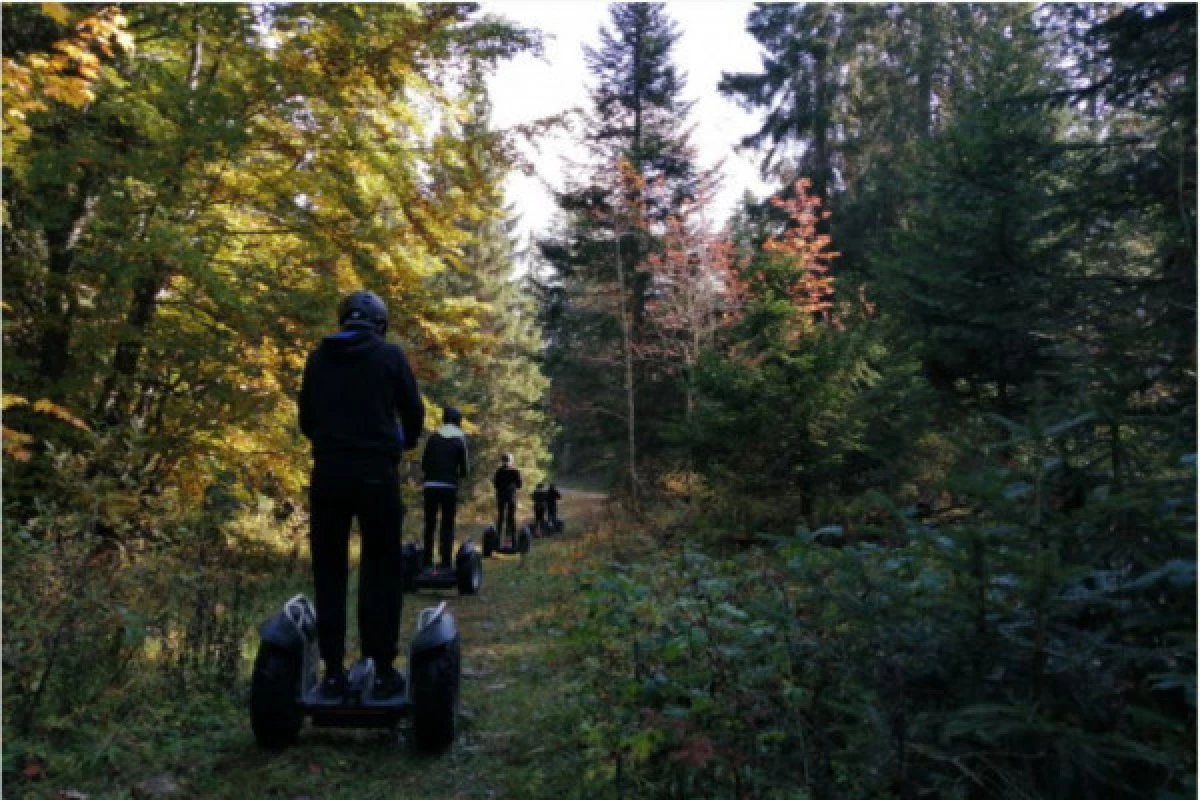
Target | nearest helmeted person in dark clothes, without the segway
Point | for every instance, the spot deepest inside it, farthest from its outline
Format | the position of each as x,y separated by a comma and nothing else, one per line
355,387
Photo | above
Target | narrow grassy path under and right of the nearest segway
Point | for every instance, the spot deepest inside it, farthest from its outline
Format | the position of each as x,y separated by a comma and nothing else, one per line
514,717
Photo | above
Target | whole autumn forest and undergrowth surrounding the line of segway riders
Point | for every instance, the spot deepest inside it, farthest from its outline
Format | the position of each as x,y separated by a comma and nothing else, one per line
901,460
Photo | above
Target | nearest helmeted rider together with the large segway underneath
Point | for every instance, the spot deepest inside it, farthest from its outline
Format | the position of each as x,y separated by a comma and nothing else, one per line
355,387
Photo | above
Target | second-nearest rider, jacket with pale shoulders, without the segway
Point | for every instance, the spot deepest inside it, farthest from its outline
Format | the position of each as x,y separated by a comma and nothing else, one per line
446,465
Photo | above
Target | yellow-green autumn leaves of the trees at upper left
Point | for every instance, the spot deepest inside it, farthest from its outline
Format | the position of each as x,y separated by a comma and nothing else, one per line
177,245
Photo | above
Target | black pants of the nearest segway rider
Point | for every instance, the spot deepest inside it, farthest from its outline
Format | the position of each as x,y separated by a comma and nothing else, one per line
341,492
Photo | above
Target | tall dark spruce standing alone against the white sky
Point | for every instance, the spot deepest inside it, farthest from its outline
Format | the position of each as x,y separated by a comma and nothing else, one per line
643,167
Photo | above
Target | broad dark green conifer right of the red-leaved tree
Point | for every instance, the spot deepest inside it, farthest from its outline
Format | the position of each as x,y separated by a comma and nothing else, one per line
974,260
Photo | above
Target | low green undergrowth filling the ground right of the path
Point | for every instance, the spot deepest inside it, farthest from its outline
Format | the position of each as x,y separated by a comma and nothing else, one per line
994,657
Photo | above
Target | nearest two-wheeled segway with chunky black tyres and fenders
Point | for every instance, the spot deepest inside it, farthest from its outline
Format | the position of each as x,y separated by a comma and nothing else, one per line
286,685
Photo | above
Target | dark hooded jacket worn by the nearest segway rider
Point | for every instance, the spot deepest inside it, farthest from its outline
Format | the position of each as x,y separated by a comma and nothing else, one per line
356,386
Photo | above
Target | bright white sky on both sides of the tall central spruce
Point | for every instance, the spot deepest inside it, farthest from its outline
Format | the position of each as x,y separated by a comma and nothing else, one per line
525,89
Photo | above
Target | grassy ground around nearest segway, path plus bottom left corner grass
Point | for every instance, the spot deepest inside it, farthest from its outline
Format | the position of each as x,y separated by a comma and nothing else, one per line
515,727
